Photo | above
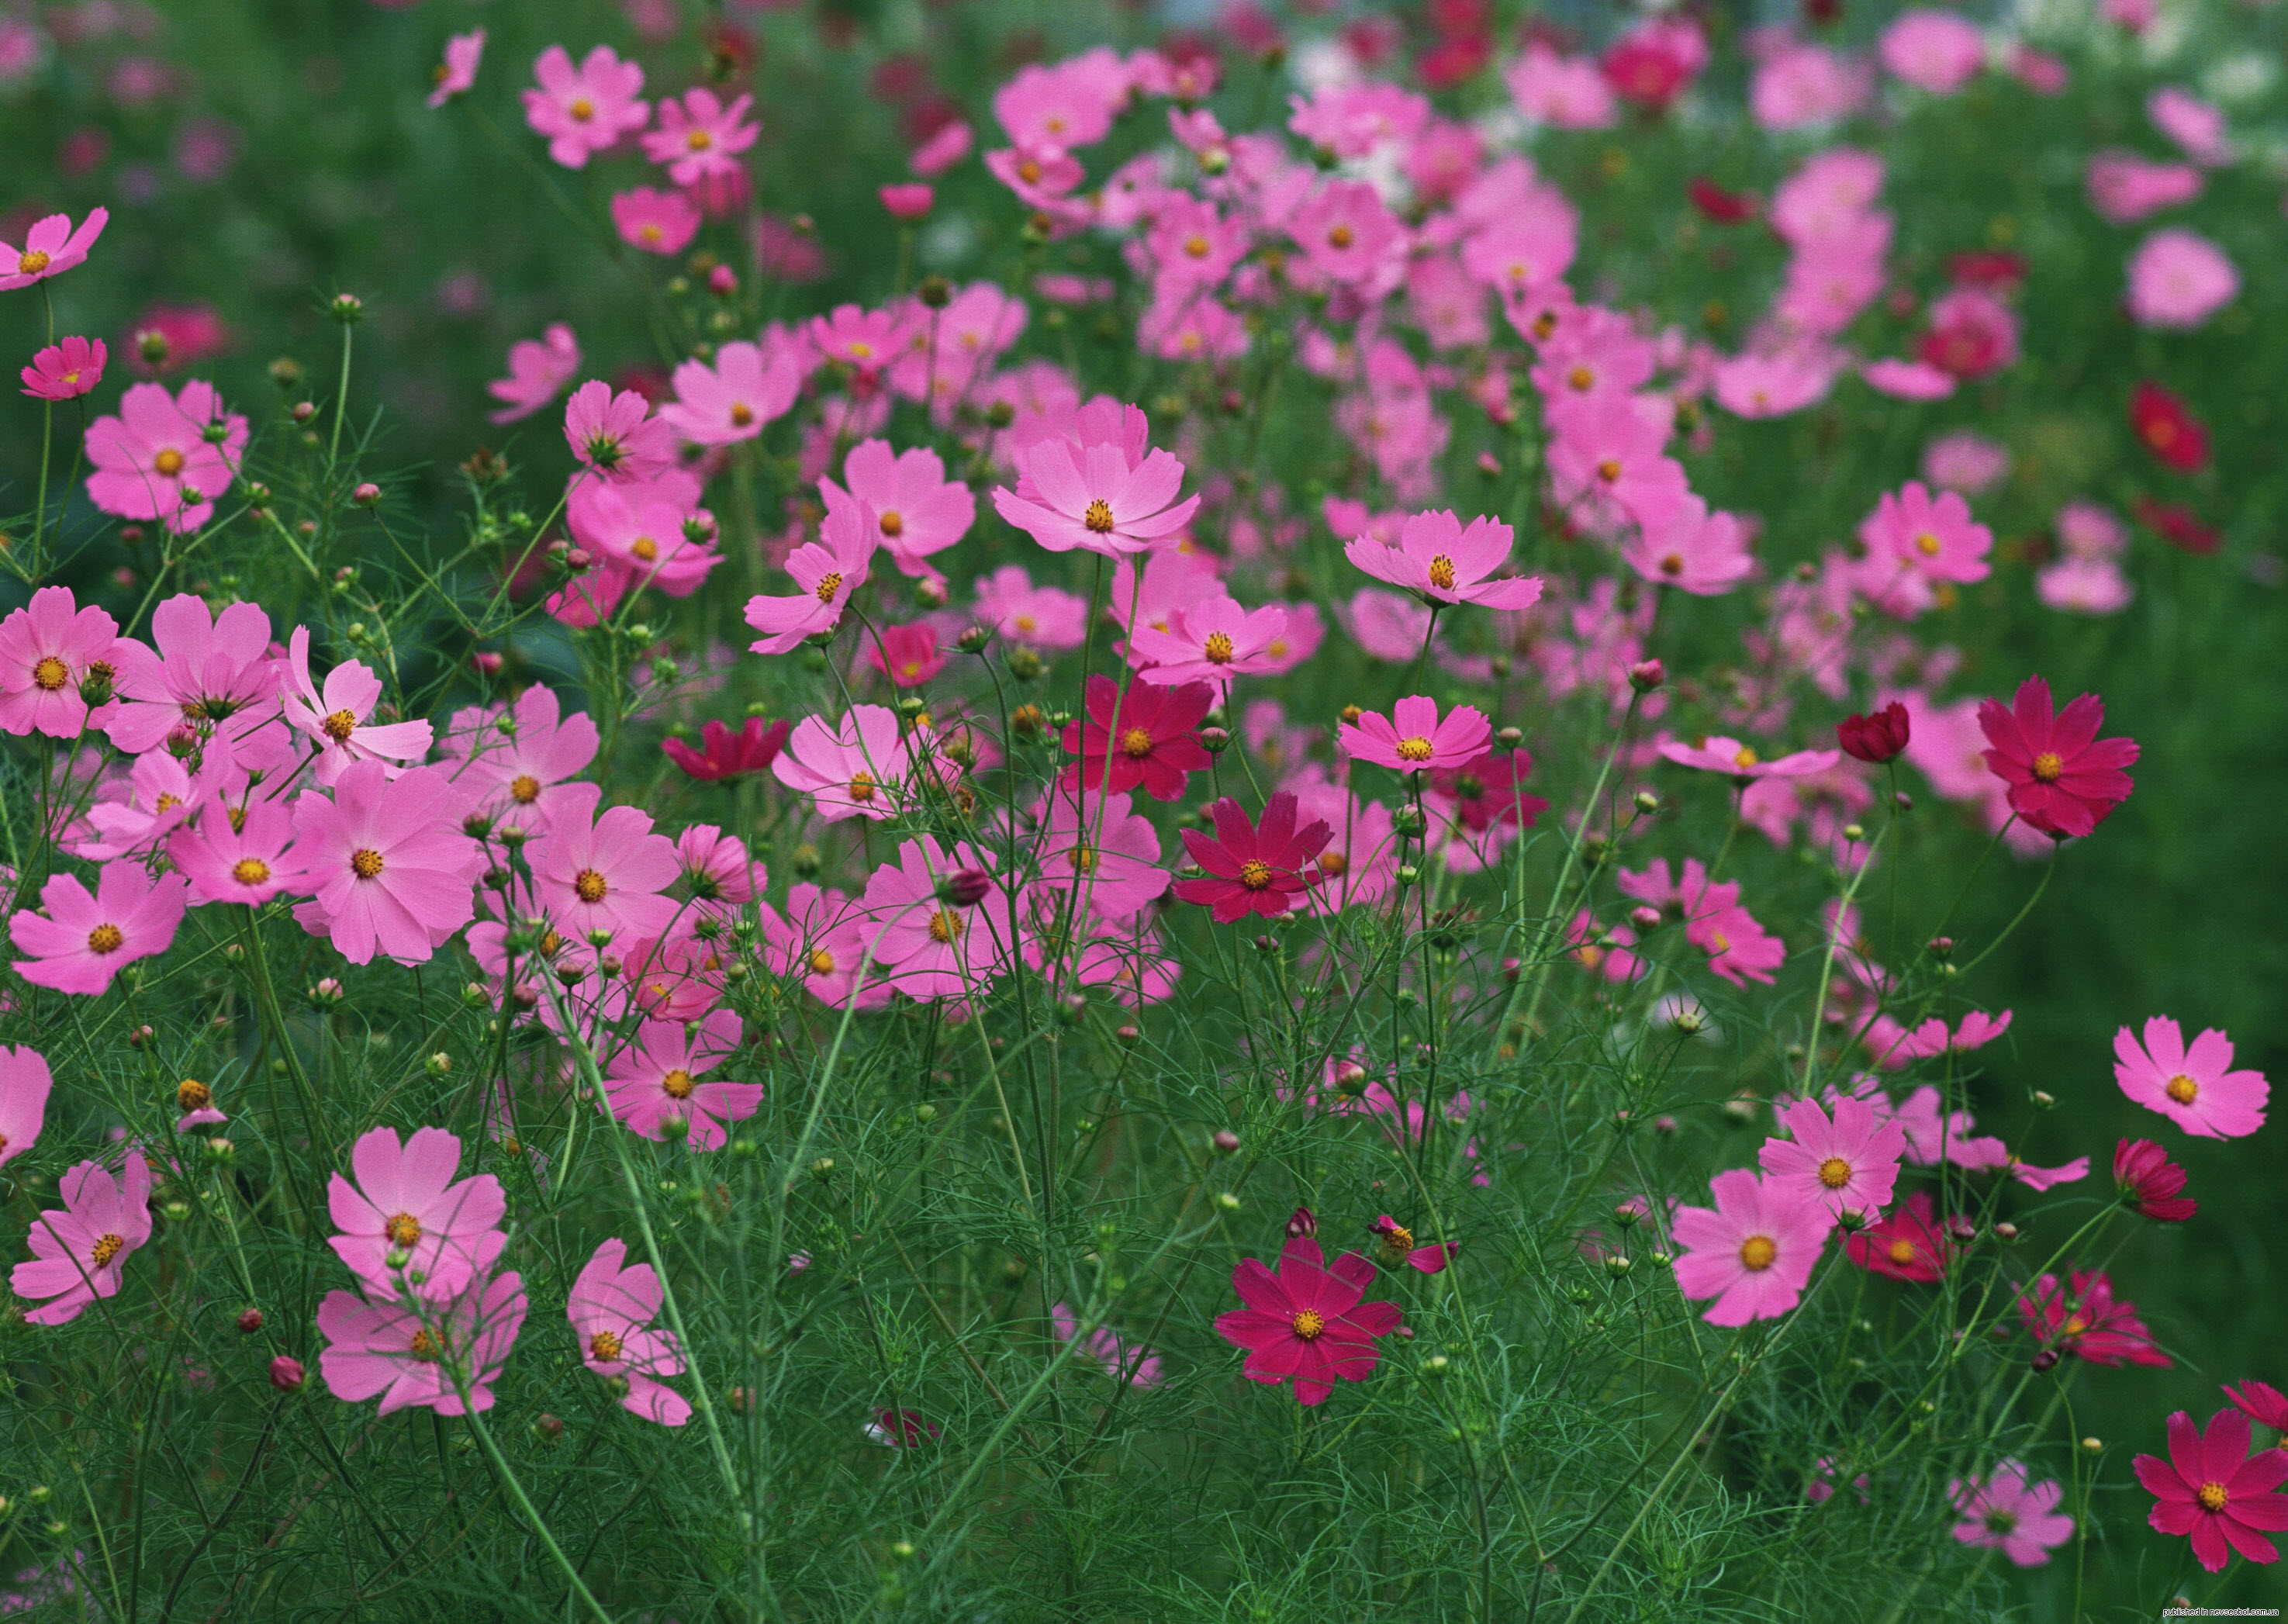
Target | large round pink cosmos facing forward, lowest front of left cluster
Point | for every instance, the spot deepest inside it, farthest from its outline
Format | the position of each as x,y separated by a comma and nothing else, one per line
386,863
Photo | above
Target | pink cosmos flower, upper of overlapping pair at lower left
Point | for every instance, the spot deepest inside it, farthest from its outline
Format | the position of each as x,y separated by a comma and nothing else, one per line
411,1216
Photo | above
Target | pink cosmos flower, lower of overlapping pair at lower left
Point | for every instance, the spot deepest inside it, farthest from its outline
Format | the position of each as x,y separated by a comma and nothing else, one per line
422,1355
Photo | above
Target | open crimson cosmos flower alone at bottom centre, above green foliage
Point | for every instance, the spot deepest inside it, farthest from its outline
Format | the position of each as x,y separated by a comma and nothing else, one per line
1308,1321
